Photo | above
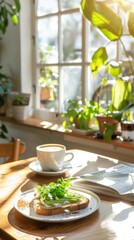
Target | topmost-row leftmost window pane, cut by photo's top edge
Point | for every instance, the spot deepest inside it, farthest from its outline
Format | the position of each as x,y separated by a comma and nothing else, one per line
47,7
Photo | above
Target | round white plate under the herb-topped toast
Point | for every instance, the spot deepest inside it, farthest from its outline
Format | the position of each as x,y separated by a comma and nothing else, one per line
23,204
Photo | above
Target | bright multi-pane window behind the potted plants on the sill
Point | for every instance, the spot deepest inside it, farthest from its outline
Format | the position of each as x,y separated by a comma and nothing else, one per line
64,44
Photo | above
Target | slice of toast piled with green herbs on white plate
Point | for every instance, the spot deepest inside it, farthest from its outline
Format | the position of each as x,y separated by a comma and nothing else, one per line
55,198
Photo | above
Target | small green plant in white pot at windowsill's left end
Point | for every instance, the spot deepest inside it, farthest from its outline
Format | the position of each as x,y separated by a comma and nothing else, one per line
20,106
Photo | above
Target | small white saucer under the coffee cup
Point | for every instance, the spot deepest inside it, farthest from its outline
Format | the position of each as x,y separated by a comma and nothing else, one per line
34,166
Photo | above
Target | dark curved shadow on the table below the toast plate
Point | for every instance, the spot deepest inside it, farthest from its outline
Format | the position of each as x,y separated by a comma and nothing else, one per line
47,229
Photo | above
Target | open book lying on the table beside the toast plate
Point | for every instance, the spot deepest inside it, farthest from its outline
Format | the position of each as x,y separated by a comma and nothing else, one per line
116,181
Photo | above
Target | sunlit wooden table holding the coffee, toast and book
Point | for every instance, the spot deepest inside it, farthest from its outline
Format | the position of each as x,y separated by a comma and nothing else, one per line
114,220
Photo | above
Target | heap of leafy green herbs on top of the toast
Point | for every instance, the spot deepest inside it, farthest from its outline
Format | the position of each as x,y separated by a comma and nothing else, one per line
56,193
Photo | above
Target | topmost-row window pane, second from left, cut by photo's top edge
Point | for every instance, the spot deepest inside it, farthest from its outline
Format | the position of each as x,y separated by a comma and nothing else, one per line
69,4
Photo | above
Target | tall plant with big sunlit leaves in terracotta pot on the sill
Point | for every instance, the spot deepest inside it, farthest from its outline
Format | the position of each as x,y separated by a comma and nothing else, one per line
120,99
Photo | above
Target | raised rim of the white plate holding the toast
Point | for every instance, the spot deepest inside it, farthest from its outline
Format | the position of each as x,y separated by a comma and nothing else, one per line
67,219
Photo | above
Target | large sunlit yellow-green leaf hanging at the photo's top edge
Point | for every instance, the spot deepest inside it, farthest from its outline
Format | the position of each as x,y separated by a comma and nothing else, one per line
103,17
